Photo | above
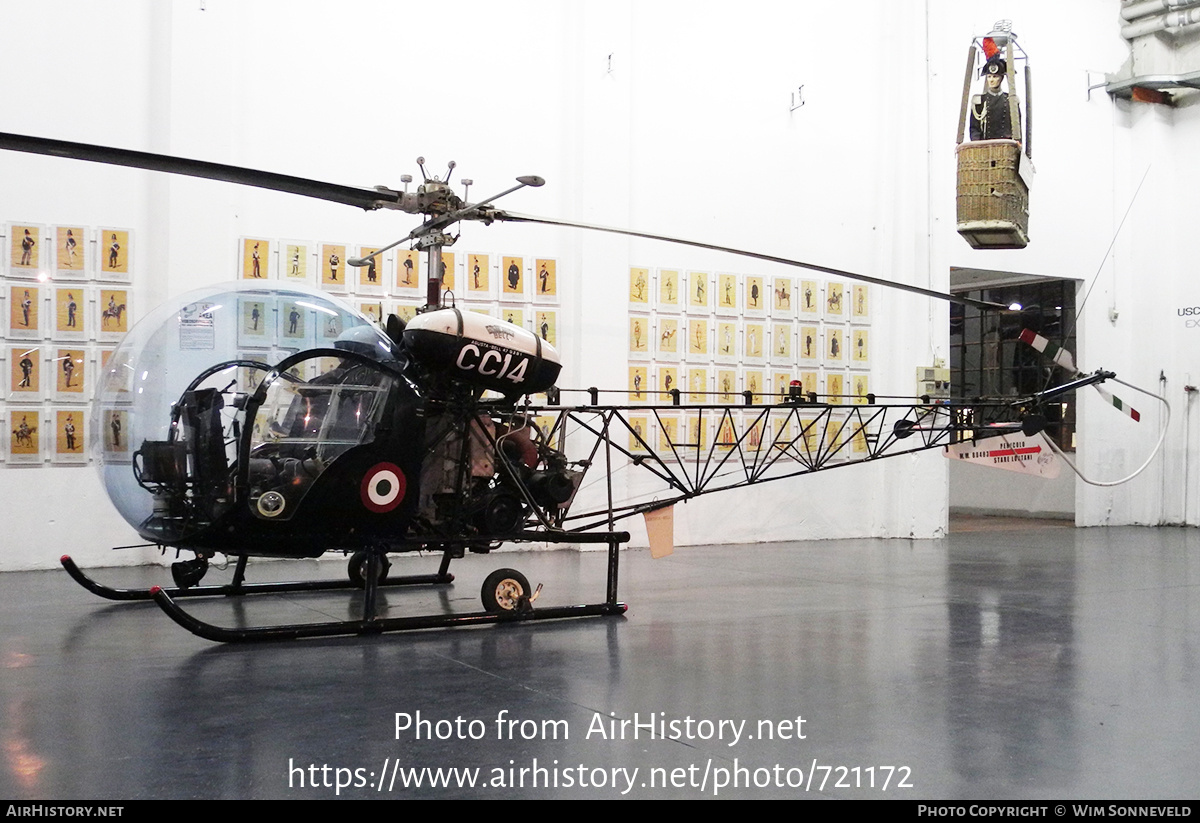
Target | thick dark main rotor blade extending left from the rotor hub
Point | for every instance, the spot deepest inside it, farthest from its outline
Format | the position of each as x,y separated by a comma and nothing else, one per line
363,199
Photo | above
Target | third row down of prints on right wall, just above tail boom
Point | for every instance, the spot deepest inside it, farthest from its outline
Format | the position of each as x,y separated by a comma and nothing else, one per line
718,386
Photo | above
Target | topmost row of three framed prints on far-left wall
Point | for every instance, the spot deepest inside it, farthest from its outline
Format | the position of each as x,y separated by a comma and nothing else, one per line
41,253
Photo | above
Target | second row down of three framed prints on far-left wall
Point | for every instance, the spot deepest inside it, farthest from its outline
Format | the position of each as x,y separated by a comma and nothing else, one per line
65,313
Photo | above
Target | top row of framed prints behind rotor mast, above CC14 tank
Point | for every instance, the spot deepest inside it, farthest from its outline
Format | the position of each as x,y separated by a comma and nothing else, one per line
399,273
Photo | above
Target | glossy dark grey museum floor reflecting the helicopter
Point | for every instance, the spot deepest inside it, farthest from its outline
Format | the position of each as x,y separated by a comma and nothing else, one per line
1033,662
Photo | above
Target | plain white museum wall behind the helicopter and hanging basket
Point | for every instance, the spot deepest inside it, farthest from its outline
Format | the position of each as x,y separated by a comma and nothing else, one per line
685,131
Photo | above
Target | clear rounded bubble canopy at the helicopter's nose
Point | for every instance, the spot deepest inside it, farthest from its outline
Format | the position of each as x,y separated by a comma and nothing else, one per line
238,333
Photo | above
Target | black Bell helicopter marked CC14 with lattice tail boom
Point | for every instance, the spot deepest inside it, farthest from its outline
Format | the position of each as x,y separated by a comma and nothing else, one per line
447,435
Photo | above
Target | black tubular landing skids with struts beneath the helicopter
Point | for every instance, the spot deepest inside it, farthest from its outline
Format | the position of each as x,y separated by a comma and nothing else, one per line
515,610
